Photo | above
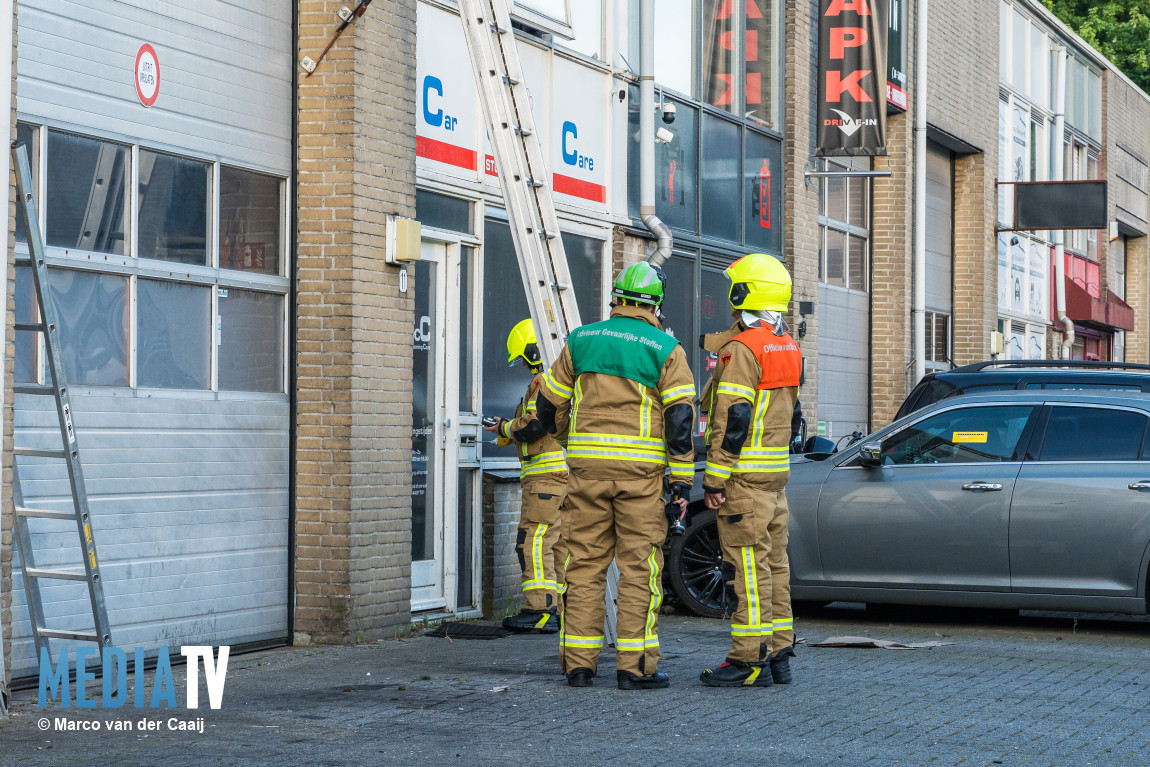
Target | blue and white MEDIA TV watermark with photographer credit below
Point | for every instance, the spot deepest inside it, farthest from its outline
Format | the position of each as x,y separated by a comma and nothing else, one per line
55,682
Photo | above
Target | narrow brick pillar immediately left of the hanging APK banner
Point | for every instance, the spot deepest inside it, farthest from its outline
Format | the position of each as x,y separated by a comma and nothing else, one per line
801,233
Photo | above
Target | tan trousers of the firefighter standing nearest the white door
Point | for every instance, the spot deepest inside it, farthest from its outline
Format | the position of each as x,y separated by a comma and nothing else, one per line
540,542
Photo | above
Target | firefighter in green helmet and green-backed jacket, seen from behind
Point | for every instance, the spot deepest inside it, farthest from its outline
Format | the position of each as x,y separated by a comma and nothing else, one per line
622,397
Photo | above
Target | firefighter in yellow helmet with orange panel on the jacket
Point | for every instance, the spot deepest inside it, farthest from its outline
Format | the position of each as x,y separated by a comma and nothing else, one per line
750,400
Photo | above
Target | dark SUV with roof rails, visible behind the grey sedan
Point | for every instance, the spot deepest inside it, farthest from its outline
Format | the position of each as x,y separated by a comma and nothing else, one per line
985,378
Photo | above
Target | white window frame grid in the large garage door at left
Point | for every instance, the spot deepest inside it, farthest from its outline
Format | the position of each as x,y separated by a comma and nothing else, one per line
135,269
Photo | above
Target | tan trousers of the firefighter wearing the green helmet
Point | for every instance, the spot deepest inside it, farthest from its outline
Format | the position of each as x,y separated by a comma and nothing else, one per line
622,520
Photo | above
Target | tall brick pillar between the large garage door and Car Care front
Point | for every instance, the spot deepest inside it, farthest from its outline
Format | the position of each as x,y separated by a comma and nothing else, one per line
357,164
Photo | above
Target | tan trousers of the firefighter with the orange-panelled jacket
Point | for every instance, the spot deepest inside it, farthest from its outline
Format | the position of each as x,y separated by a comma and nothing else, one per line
753,532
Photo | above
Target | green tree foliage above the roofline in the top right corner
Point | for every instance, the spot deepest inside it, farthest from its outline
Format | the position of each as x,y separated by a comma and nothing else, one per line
1118,29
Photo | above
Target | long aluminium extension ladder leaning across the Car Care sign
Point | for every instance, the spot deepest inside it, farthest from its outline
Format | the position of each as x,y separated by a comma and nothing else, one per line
527,191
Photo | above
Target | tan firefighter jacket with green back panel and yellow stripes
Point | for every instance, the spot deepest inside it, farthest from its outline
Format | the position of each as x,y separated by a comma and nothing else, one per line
622,400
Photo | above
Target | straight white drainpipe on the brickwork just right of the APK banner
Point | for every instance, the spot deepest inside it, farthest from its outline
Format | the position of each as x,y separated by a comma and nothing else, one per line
921,196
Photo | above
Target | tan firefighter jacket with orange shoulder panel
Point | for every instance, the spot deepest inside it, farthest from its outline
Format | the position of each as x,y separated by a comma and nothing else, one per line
750,401
